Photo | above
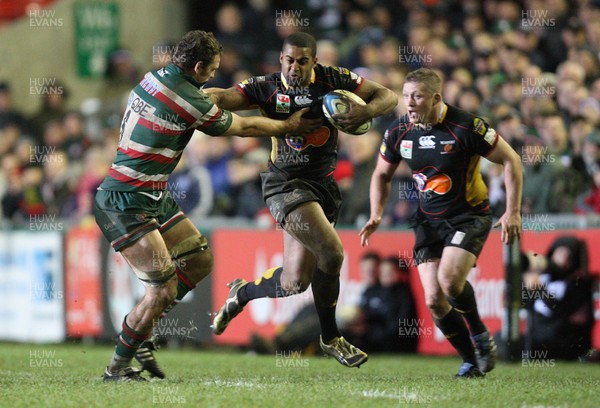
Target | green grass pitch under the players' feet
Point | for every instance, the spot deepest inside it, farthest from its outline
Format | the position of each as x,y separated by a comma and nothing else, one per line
70,376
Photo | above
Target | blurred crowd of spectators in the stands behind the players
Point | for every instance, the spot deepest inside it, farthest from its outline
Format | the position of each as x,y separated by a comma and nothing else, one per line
530,68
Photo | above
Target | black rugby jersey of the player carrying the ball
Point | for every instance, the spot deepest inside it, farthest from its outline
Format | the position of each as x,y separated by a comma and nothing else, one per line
310,156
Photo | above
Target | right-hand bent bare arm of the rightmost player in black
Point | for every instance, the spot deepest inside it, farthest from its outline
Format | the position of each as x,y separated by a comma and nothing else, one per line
513,181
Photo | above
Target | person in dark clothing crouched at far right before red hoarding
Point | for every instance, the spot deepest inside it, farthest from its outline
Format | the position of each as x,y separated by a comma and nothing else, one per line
559,298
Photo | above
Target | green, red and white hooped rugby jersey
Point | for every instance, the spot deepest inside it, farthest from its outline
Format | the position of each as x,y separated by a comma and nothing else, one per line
162,113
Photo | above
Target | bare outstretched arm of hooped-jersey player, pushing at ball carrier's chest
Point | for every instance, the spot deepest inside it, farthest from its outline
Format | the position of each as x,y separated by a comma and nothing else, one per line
258,126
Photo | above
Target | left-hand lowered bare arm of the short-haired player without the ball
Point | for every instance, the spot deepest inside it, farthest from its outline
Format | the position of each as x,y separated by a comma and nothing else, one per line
379,193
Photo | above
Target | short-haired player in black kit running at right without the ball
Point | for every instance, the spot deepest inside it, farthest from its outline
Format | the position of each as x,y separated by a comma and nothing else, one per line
443,145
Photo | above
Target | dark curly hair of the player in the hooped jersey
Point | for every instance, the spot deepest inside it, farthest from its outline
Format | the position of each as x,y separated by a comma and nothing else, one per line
196,46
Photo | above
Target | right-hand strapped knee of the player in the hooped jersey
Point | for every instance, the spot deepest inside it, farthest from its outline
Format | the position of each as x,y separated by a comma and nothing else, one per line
194,257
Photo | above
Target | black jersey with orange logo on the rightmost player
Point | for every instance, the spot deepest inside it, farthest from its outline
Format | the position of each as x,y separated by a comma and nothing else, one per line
444,160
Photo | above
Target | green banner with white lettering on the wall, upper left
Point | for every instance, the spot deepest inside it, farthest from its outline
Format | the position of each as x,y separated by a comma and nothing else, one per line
96,36
